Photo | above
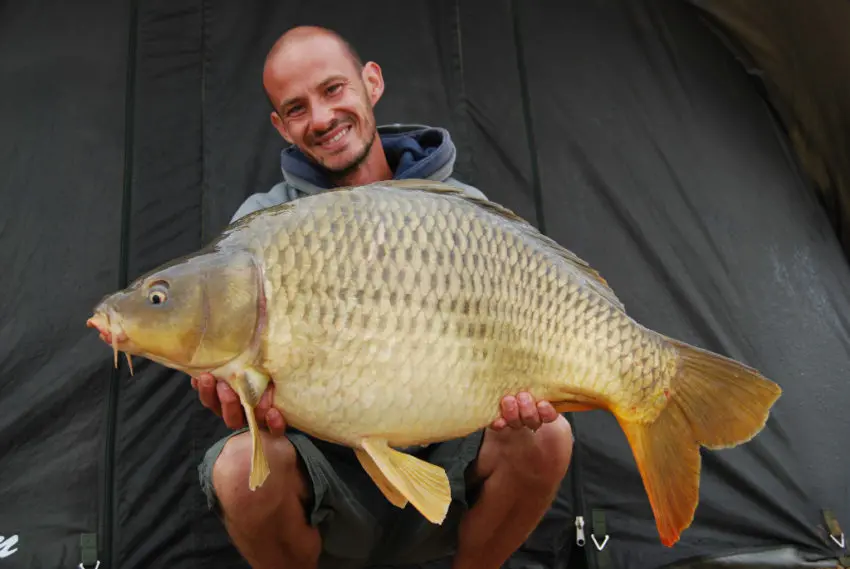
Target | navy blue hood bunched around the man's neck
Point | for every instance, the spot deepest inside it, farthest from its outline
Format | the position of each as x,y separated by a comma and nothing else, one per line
413,151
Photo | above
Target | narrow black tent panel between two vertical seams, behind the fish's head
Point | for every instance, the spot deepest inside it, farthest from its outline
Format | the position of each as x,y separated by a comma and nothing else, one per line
162,431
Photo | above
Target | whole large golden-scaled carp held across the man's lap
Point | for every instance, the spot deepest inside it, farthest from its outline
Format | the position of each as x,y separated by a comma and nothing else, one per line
400,313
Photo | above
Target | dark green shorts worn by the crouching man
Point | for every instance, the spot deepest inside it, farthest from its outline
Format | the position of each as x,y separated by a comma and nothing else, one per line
358,526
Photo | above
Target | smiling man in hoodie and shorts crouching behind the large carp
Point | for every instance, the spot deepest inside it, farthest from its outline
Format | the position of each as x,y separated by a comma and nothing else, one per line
319,508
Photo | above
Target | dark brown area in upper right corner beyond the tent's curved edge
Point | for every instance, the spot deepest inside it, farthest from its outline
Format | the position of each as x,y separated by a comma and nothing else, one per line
800,53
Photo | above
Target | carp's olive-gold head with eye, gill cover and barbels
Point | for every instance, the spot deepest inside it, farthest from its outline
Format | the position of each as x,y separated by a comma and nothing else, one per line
193,314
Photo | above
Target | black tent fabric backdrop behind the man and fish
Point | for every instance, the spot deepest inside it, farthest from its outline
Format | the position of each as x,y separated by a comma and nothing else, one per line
627,129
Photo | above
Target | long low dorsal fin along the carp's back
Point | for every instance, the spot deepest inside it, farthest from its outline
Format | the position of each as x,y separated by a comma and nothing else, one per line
599,284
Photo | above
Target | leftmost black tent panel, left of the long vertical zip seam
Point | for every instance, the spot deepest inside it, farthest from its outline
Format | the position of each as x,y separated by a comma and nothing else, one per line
62,92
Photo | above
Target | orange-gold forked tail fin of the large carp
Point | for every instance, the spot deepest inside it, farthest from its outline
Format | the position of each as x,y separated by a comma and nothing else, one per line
714,402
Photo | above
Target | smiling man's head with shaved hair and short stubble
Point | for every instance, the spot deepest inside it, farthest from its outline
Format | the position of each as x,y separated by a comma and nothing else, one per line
323,97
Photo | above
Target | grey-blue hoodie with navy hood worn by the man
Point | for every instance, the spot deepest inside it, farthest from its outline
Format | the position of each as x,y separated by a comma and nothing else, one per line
413,151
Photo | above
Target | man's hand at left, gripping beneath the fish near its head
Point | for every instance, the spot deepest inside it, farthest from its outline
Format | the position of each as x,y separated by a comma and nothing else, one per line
219,398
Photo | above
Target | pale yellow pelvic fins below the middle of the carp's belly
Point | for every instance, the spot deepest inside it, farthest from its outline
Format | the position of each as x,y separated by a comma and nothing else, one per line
425,485
